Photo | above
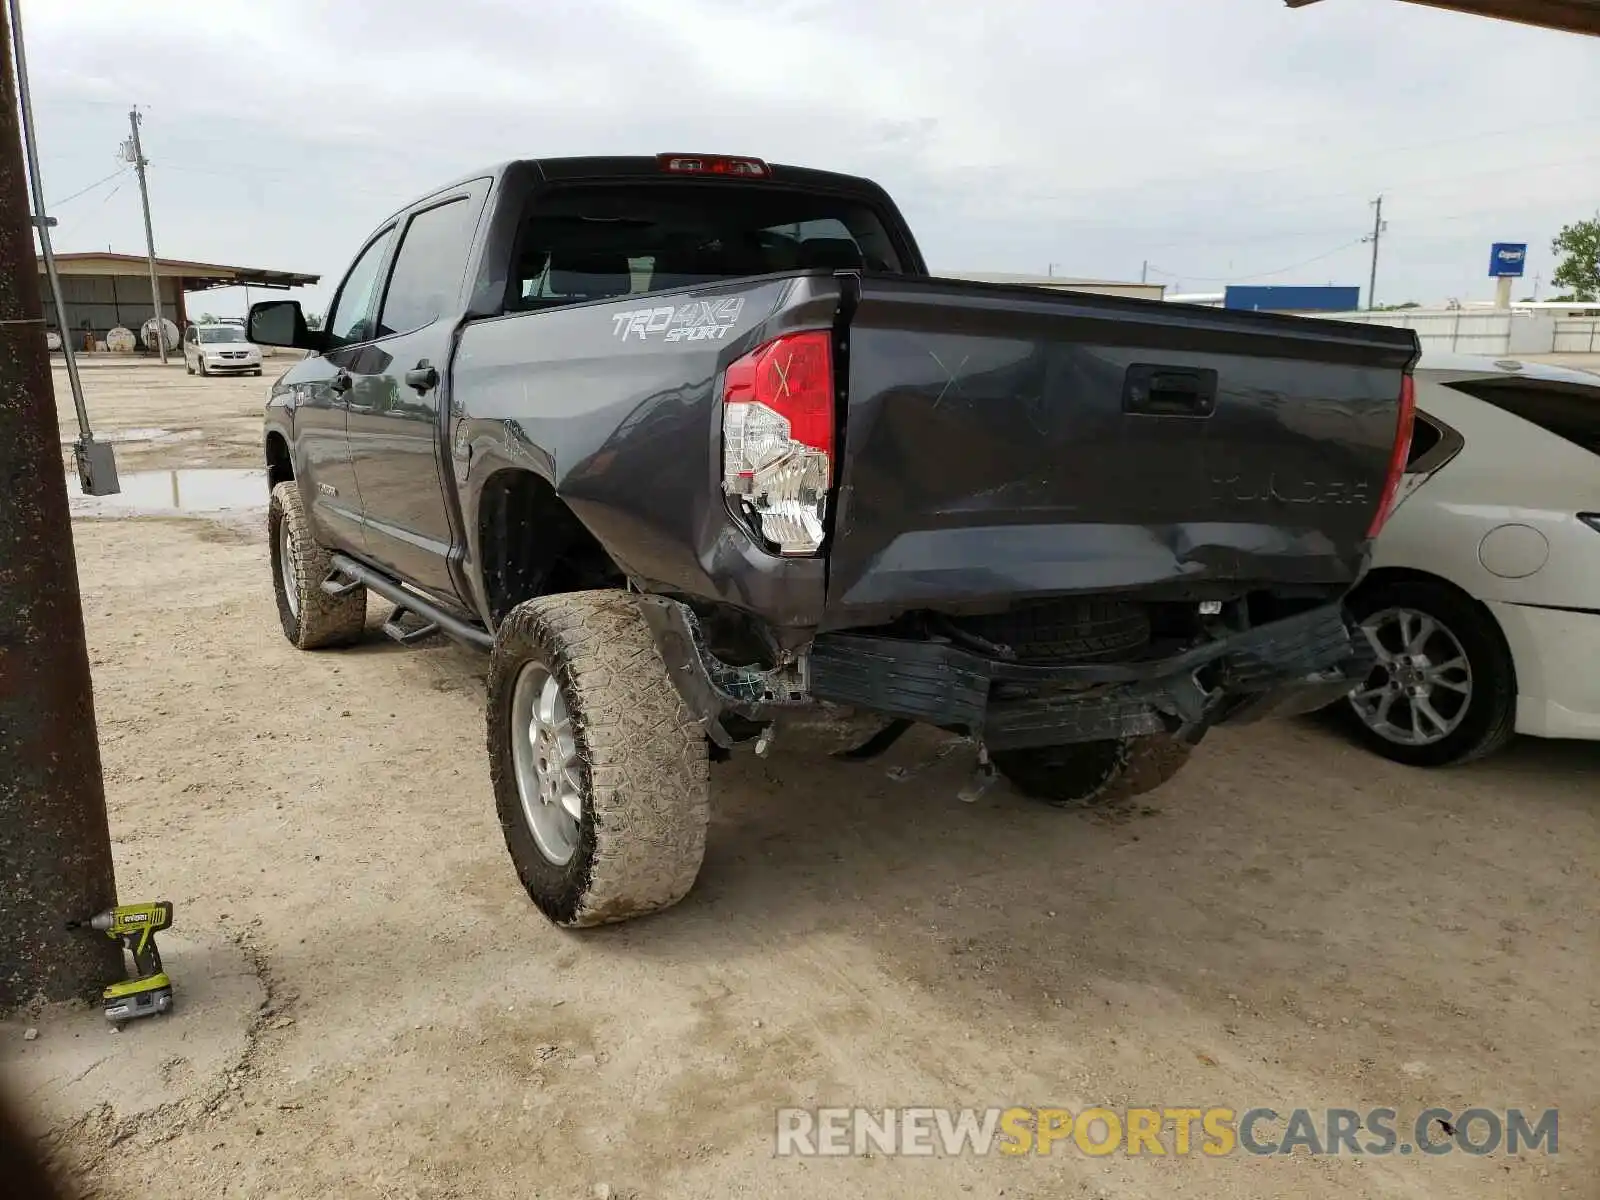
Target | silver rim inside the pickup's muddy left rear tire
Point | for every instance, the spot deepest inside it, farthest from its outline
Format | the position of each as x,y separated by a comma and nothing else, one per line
546,764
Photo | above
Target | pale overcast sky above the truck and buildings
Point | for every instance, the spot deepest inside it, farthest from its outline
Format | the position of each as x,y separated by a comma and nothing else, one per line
1217,140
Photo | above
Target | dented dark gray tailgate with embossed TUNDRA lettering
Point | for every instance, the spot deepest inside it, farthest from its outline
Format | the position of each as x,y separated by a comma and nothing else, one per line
1009,442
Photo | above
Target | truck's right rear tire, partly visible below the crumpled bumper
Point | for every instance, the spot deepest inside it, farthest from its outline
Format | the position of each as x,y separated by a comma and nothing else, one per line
1094,775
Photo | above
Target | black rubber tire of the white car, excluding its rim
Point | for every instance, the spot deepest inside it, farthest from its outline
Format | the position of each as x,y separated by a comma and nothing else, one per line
1492,711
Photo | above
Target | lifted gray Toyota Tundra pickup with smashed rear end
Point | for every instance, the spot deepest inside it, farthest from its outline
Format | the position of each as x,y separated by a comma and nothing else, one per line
692,444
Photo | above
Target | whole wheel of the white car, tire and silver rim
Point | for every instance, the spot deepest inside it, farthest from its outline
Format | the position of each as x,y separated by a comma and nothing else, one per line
1446,689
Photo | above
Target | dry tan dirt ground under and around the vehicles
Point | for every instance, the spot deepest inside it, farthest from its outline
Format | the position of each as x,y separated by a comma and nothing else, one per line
1290,924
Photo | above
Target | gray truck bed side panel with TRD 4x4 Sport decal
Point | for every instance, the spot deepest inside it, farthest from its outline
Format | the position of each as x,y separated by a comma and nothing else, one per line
628,430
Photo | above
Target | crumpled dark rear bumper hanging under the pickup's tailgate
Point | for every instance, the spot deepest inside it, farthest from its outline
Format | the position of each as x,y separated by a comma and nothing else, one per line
1289,666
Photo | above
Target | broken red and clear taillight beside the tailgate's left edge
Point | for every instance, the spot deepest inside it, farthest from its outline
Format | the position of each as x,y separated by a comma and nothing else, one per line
778,438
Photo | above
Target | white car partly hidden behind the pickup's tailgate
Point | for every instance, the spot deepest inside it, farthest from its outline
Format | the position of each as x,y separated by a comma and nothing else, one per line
1484,598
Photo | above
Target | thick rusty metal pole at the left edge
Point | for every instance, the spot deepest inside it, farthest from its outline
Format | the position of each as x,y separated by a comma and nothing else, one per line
55,846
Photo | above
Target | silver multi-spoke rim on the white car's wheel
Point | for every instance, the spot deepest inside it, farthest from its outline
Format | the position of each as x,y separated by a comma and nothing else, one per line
1422,689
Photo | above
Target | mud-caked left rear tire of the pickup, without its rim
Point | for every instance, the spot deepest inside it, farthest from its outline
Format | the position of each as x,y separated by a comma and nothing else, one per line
646,777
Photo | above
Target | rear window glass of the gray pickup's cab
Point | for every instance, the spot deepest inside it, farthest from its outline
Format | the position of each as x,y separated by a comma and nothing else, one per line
604,241
